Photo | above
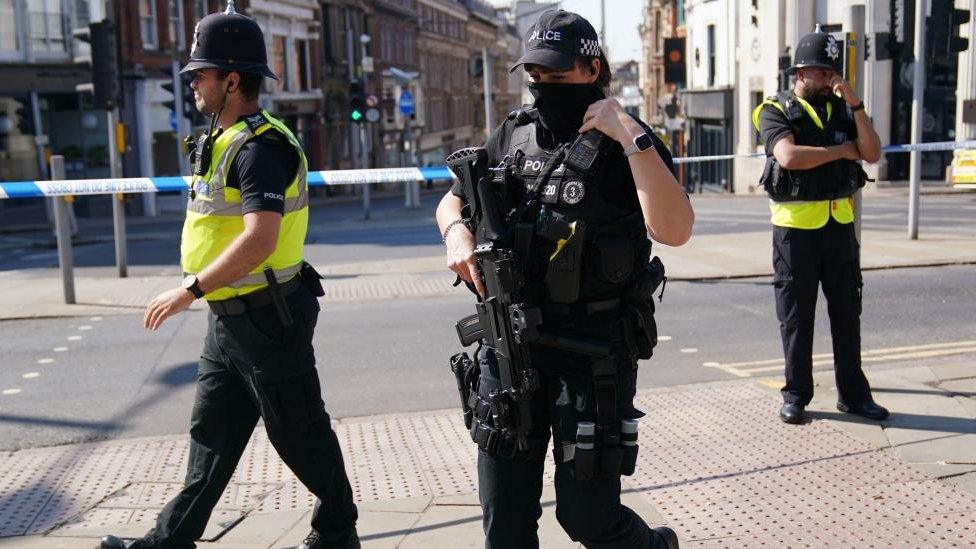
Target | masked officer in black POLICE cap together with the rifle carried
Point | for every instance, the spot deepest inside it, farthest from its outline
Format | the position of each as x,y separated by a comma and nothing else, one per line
554,240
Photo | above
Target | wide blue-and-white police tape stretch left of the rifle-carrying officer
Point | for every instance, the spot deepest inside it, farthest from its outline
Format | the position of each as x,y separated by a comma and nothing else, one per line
34,189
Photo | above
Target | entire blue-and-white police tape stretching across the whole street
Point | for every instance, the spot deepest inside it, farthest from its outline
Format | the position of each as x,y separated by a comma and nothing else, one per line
77,187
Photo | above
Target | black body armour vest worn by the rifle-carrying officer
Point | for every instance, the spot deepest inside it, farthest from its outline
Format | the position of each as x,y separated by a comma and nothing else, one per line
609,246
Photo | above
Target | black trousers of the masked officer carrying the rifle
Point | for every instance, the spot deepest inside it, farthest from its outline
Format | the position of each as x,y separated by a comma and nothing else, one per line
510,489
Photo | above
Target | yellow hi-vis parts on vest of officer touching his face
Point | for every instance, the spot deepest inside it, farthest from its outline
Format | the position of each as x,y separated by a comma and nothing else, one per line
806,215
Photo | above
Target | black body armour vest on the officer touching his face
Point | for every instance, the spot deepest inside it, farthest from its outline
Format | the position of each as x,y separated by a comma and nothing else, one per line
837,179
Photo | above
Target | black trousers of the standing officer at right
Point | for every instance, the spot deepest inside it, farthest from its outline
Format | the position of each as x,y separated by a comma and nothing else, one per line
802,259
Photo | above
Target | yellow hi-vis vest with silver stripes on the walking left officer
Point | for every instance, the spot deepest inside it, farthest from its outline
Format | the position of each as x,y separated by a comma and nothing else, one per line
215,218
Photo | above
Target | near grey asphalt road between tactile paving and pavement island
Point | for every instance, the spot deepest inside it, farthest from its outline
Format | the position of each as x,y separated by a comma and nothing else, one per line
71,379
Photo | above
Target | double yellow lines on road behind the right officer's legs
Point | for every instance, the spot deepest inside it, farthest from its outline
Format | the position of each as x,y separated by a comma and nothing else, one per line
928,350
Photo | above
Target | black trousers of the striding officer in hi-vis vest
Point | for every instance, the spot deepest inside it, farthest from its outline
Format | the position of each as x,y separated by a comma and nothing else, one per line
253,367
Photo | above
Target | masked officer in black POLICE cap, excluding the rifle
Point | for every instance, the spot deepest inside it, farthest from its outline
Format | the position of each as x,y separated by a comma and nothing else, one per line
634,193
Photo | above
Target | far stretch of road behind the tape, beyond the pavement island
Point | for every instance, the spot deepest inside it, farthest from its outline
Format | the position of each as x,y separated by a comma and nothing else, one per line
338,234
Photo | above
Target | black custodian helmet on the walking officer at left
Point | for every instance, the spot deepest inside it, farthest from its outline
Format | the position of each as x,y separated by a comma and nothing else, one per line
229,41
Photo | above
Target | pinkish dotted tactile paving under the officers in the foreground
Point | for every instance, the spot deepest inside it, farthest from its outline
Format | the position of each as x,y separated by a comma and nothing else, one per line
714,460
